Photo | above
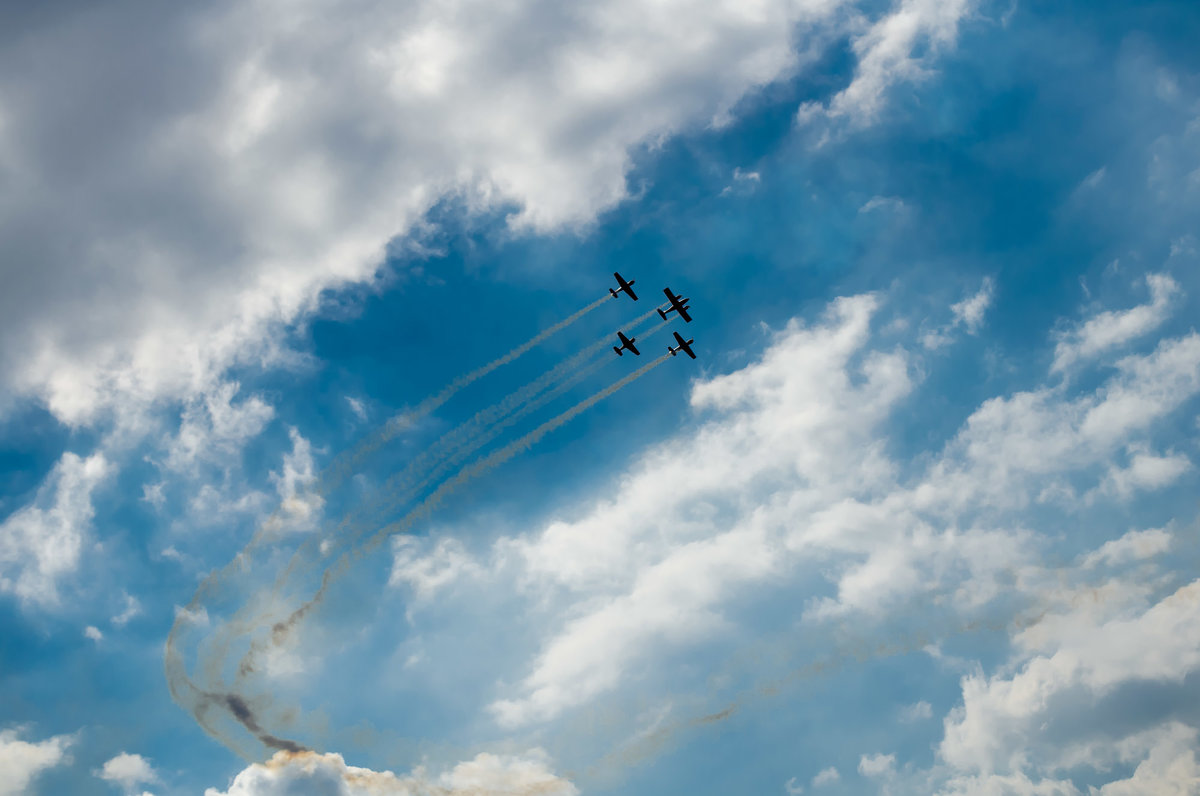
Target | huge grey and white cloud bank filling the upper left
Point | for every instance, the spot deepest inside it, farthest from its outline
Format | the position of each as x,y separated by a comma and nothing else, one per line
191,179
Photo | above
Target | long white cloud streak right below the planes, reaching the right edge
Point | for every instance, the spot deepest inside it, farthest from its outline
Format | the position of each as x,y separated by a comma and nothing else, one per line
789,464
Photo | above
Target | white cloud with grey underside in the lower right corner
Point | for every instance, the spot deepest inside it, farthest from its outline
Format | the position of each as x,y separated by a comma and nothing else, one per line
1099,643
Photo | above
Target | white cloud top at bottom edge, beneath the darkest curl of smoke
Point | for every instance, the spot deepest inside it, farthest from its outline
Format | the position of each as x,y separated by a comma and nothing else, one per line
327,775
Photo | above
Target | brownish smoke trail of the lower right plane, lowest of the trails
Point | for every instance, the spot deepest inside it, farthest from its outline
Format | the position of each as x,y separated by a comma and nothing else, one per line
281,631
